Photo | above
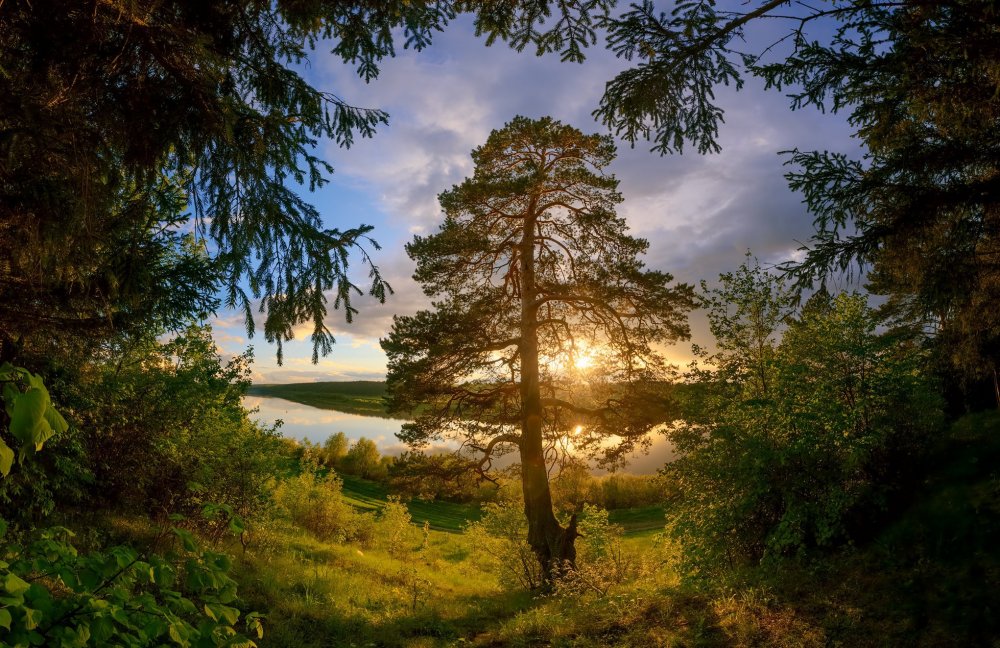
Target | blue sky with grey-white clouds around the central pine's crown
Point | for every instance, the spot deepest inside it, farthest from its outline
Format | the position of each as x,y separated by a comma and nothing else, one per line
700,214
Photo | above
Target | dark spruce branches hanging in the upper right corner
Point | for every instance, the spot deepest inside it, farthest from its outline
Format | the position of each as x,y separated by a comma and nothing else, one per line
917,81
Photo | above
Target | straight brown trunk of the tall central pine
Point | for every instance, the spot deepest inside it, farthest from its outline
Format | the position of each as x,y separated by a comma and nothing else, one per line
553,545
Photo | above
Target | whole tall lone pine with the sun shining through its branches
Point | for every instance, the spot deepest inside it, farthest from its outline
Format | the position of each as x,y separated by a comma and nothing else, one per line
535,282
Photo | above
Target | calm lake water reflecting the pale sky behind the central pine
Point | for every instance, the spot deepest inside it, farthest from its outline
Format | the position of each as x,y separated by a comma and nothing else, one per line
305,422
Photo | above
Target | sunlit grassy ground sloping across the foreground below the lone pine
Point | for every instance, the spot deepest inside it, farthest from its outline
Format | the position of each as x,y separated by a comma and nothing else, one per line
439,589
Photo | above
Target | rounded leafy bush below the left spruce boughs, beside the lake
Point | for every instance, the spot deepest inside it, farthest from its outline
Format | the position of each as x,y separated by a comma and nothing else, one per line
166,429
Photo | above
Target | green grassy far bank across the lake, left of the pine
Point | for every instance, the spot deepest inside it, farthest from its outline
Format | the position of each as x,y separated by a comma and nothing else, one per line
362,397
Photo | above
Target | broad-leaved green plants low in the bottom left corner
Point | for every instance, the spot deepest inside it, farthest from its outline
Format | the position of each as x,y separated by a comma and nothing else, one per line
54,596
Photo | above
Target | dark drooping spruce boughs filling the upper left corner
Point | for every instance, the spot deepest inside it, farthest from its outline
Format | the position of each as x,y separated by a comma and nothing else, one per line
124,125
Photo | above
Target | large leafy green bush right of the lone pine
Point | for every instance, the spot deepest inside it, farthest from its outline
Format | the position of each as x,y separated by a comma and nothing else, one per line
808,425
